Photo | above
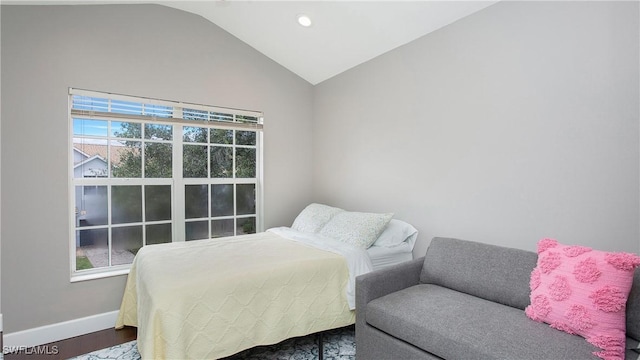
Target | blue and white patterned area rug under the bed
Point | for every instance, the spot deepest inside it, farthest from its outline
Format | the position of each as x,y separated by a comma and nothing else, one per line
338,344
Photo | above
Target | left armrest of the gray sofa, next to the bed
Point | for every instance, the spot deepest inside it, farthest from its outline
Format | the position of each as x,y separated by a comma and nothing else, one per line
382,282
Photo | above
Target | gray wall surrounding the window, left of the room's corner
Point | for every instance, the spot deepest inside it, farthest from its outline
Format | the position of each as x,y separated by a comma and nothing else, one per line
144,50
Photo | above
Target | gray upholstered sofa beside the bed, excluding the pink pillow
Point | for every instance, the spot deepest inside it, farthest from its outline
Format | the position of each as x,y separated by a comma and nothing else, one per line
465,300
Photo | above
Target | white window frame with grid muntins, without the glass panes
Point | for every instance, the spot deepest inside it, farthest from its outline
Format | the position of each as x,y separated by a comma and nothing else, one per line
231,119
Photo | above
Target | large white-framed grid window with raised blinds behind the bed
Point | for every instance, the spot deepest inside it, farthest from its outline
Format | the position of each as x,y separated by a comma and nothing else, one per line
149,171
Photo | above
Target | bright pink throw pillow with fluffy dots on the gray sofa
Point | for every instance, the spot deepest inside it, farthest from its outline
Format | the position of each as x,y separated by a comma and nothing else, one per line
583,292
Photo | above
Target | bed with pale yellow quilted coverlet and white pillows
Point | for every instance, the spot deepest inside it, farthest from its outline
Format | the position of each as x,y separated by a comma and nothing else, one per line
209,299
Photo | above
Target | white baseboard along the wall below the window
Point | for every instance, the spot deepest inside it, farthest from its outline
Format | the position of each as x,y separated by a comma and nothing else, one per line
60,331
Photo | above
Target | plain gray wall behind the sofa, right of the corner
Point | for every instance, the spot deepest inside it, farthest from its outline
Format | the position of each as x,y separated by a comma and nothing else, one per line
516,123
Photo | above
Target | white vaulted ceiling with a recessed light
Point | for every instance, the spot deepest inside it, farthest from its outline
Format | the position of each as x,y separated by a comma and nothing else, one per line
344,33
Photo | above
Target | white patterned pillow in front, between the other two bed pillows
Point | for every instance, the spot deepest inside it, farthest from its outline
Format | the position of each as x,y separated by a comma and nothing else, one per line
356,228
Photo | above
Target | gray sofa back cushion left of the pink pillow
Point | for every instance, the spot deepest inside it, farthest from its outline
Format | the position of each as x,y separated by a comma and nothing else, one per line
491,272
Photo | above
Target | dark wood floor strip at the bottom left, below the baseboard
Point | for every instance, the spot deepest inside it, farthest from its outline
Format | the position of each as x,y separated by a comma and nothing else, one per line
79,345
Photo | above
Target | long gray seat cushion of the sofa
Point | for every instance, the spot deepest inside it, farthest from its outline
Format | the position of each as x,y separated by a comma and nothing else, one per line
454,325
